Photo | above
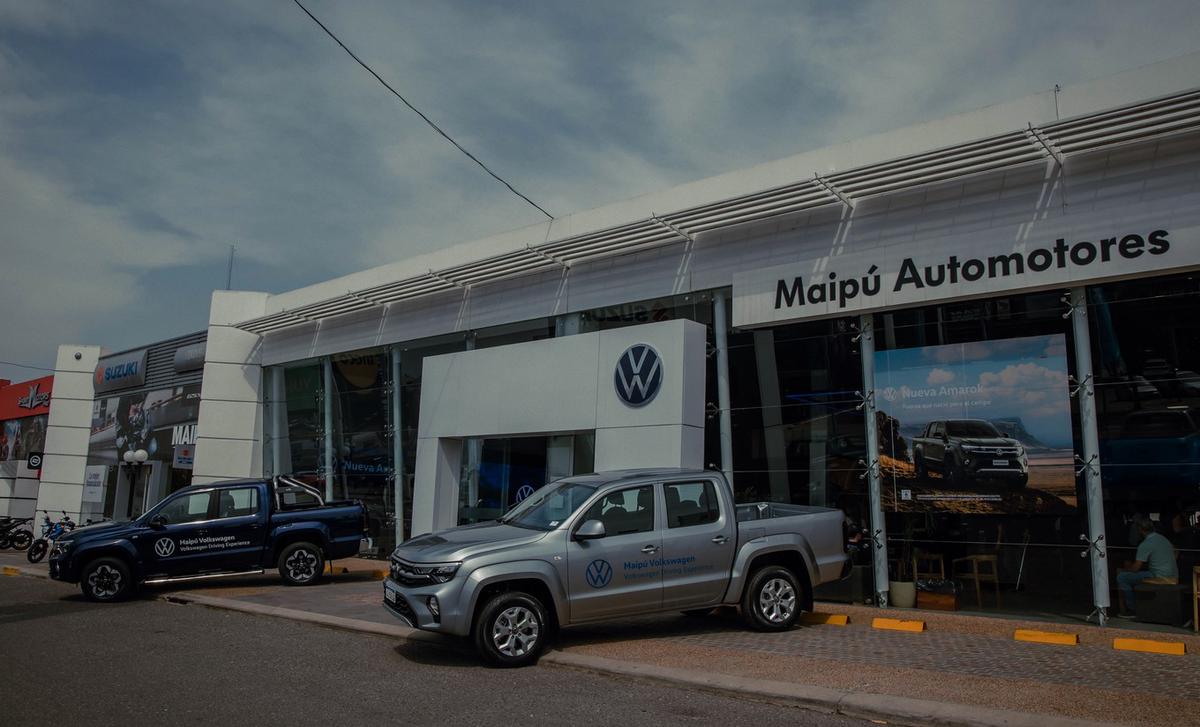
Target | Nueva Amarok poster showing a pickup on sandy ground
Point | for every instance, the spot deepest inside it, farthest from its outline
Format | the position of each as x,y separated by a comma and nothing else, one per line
981,428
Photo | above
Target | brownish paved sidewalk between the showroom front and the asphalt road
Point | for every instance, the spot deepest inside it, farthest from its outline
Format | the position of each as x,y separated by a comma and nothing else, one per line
961,670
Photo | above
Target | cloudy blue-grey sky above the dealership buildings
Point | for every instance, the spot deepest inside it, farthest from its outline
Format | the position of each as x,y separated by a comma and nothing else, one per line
139,141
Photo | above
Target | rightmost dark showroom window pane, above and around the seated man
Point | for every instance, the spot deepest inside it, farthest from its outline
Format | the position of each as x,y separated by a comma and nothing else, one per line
1147,363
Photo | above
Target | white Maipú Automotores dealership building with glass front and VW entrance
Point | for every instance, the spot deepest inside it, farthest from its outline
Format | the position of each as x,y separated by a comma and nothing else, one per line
979,337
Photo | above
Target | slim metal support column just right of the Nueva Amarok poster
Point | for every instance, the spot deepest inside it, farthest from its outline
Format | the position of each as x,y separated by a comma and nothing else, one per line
1085,392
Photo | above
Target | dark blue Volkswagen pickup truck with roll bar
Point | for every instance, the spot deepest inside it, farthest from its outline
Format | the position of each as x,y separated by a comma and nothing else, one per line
213,531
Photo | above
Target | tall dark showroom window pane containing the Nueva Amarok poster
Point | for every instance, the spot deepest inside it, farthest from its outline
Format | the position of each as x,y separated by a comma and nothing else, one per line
979,434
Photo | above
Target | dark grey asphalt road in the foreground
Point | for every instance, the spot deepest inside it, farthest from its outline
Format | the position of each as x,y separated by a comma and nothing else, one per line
67,662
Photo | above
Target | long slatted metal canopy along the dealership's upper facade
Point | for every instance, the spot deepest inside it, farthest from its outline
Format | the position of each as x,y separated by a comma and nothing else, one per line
1169,116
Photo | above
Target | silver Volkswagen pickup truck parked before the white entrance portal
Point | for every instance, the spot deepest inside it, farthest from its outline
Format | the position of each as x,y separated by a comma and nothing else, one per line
614,545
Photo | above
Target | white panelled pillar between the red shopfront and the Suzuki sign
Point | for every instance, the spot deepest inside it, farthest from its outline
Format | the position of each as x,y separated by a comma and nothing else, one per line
68,431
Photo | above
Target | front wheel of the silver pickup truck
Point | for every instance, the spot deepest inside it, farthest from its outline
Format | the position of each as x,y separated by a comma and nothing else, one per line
512,630
